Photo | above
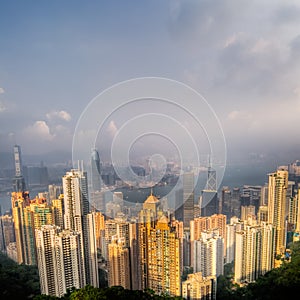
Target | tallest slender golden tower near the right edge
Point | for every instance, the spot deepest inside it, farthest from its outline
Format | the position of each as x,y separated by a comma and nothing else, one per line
278,183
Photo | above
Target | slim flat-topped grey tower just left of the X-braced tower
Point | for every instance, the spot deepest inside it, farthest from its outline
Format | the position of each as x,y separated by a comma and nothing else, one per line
188,199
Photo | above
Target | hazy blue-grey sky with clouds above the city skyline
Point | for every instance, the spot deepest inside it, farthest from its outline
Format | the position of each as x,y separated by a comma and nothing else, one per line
242,57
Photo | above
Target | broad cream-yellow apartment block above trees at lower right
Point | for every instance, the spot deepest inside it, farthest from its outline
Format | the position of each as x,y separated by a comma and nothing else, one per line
254,252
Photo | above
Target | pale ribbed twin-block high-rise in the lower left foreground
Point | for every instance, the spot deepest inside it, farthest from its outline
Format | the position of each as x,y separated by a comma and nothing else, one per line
59,260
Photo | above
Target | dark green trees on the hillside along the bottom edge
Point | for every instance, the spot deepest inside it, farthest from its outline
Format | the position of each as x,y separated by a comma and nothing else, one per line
22,282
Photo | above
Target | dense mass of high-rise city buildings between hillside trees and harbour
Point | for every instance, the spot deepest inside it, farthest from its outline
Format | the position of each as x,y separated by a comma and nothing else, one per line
180,251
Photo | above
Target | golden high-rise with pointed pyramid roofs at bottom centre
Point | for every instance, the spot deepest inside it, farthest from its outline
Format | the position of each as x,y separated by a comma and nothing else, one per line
159,251
